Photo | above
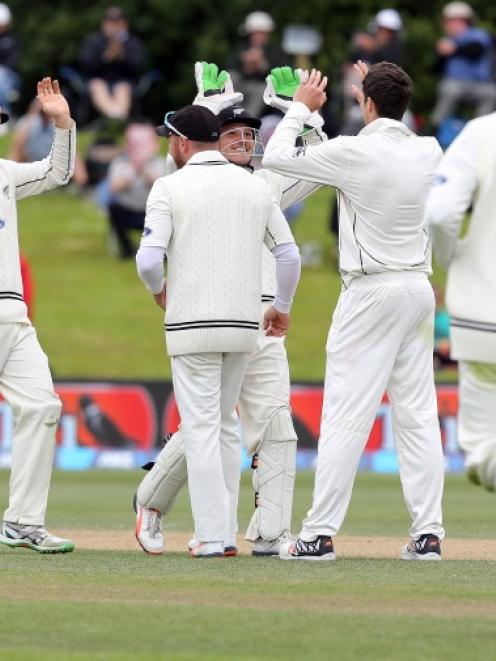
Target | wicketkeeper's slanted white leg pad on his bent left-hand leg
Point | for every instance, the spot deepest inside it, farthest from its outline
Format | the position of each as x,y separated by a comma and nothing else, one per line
160,486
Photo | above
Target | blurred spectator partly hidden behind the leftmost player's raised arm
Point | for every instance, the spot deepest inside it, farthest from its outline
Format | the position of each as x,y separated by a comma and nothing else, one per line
32,141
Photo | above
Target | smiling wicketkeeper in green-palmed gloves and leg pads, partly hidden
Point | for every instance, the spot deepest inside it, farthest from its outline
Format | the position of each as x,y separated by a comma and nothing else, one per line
264,408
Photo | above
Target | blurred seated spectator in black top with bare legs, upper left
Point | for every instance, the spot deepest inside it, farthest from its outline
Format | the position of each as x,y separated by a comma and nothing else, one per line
112,60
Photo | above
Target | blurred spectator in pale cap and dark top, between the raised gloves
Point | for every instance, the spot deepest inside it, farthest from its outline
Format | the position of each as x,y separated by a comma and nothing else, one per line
251,64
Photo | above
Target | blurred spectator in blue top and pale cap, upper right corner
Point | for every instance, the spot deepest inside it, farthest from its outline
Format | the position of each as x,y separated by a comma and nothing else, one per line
465,61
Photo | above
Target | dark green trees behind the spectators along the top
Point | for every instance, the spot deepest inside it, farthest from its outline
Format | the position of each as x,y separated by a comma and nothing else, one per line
177,33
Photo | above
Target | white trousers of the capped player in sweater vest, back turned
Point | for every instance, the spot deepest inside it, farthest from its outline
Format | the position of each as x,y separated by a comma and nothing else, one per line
206,388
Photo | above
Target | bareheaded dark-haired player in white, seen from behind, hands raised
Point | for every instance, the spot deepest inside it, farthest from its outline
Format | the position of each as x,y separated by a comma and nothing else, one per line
381,338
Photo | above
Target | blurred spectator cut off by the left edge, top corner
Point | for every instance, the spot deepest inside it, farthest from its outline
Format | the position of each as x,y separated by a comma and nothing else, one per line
10,51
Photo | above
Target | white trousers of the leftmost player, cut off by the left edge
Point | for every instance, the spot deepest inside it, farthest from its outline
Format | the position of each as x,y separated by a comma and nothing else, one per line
26,384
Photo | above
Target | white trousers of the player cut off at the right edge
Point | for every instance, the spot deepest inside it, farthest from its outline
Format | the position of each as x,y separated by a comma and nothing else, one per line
477,410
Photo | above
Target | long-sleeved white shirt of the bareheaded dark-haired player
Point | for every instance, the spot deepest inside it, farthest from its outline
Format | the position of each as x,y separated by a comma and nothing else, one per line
383,176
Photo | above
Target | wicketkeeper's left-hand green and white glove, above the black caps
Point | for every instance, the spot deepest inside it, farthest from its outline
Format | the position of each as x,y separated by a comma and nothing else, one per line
215,88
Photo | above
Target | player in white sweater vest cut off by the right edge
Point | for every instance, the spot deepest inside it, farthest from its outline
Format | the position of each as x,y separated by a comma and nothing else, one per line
467,176
